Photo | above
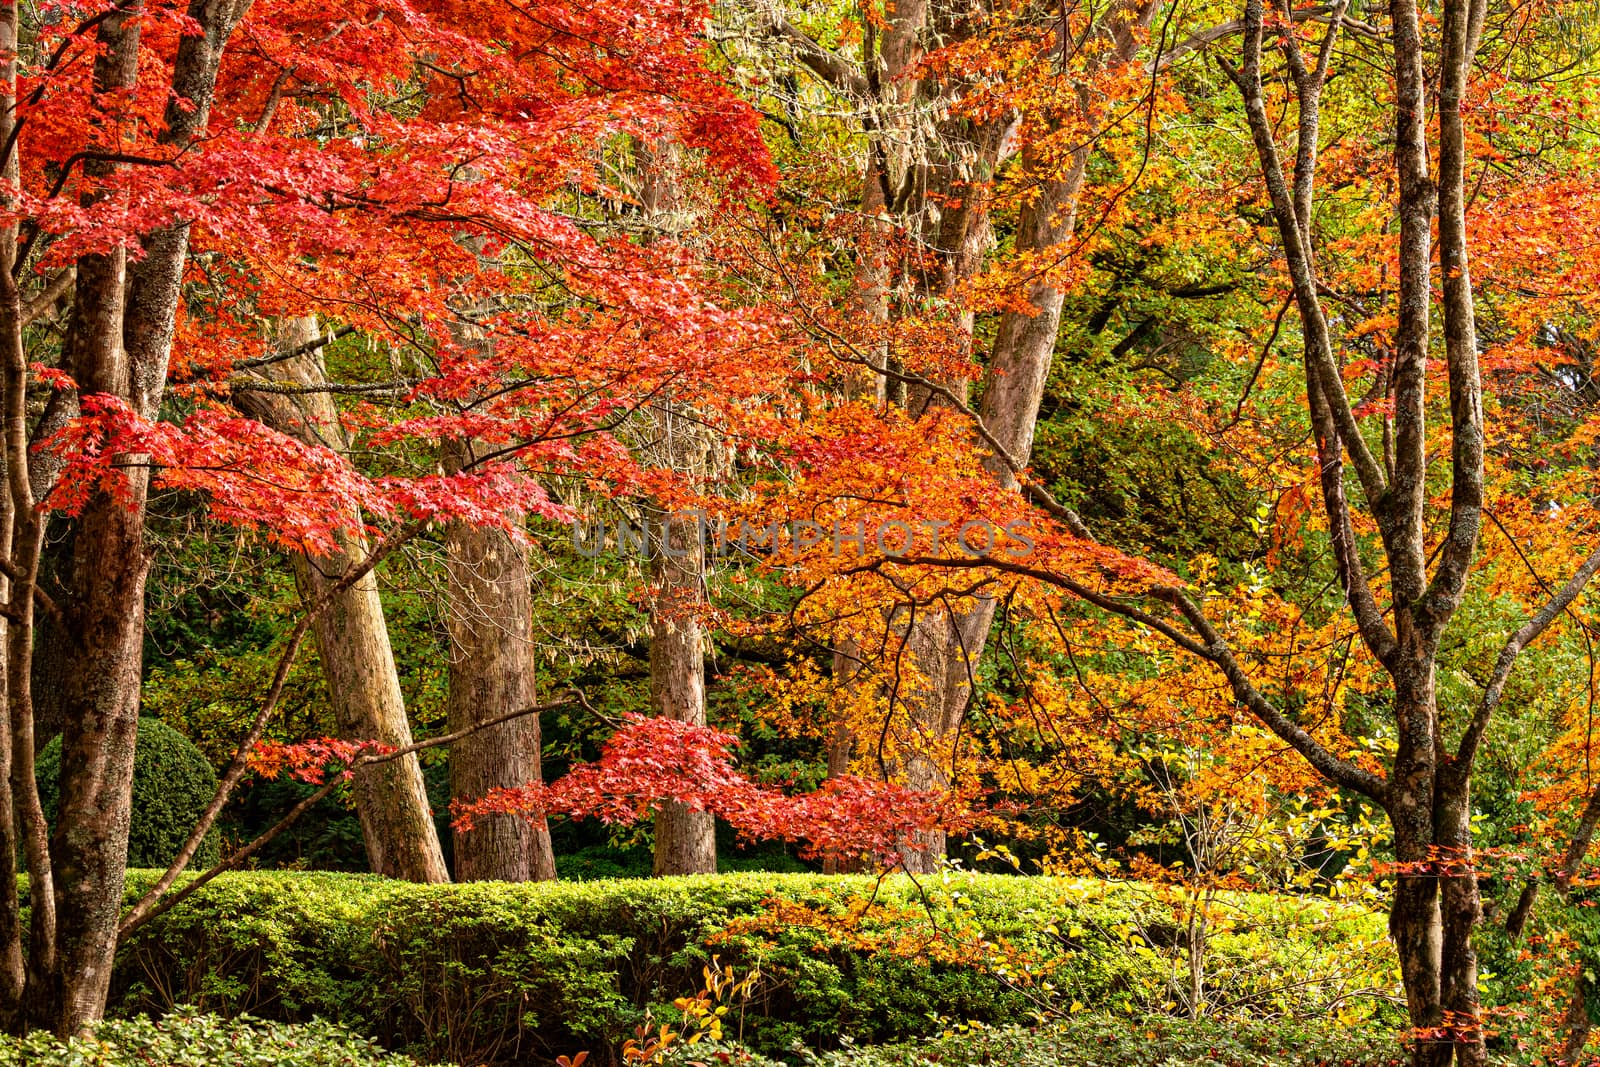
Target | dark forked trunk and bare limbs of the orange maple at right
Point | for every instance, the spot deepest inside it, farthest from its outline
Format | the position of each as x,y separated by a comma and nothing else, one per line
1386,514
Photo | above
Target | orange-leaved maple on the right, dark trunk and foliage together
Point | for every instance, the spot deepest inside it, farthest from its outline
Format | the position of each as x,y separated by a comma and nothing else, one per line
1391,388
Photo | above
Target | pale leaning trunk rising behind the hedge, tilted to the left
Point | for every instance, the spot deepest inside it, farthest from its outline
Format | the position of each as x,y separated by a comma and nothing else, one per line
353,637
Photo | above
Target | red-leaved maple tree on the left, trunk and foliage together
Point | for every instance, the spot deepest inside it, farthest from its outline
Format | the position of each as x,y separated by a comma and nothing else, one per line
193,174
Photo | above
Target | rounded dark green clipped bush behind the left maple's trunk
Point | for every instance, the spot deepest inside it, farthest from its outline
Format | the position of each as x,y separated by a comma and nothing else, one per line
172,786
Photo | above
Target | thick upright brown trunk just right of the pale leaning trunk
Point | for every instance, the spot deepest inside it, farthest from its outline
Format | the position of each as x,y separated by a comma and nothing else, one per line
492,673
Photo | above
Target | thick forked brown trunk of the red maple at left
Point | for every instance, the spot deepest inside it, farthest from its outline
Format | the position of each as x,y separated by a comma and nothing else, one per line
119,345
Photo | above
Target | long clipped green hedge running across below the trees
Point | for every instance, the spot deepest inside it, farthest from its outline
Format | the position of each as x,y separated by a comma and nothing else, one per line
495,973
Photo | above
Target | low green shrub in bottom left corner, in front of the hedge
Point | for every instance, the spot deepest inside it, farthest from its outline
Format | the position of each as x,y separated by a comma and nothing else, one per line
196,1041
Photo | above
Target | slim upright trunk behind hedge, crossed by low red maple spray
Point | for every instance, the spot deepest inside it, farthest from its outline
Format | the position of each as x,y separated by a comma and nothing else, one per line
686,839
